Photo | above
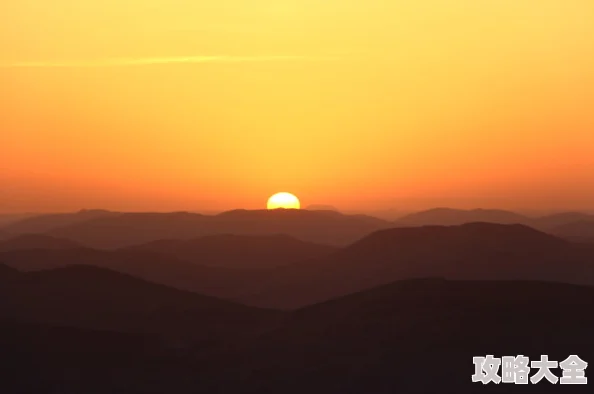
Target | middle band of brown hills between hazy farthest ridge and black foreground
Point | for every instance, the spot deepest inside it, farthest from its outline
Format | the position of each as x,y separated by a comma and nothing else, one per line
283,272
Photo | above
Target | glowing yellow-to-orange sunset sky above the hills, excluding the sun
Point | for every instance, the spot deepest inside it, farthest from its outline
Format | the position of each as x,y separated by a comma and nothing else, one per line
362,104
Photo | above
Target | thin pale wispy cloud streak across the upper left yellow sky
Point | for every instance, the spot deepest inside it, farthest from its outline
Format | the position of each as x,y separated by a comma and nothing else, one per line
122,62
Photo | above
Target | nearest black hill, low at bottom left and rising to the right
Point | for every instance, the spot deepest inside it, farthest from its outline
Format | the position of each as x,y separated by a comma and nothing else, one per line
416,336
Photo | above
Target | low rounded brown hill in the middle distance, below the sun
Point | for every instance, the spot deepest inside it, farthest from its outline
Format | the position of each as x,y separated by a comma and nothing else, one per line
239,251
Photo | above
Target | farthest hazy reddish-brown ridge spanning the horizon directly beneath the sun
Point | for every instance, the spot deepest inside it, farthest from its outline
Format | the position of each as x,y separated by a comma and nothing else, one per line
112,230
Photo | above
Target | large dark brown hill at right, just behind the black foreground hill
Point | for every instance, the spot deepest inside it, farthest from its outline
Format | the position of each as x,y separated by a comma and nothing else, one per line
470,251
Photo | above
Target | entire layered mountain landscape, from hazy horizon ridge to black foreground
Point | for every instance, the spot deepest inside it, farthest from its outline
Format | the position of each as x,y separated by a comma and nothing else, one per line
287,301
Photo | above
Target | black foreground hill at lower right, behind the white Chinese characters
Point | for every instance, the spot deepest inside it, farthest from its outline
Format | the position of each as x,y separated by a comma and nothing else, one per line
418,336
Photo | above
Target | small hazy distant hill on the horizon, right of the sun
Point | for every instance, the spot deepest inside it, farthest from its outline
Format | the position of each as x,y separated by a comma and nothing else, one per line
452,217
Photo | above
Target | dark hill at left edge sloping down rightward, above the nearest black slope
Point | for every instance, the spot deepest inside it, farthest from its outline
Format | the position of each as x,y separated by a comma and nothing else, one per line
96,298
